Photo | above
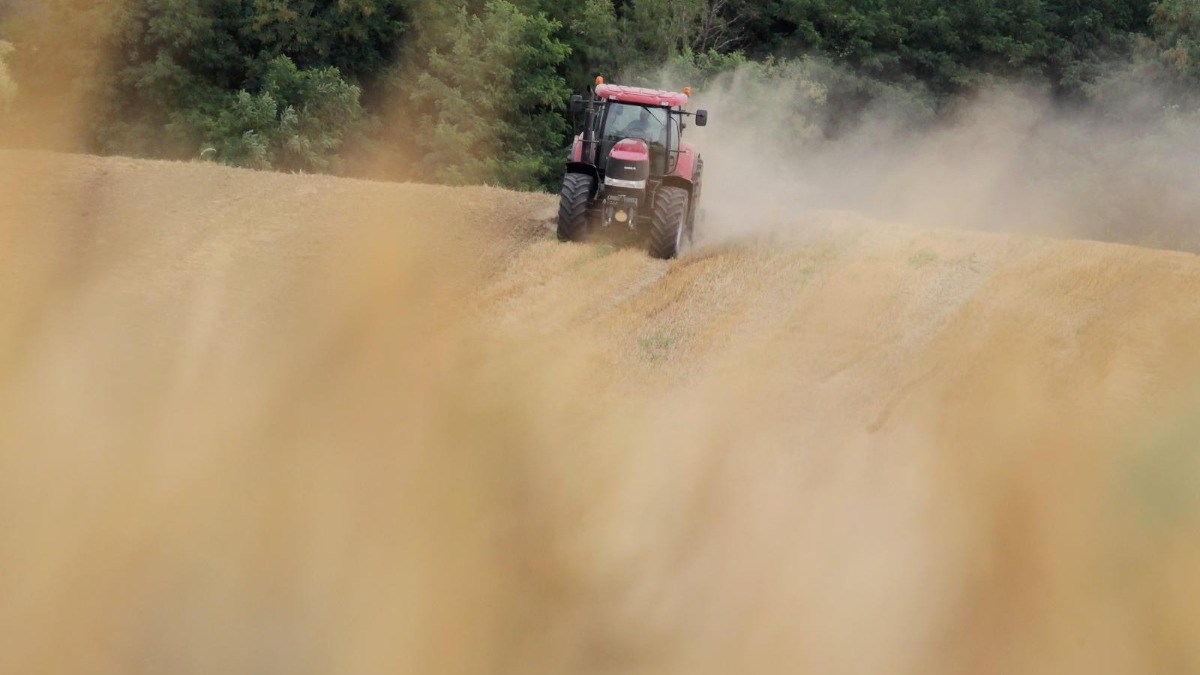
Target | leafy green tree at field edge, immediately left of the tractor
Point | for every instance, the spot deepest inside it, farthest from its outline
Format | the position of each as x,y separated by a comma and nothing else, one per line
489,99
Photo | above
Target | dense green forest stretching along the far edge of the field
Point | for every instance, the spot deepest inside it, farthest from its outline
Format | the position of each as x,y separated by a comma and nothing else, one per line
476,91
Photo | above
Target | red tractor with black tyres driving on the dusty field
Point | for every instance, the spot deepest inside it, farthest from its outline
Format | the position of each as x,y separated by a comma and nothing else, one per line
631,168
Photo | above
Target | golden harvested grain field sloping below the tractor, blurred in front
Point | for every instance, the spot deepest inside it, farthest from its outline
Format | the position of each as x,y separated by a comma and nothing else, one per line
262,423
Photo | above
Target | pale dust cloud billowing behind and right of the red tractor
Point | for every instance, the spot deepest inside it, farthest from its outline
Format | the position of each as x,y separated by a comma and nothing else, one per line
1007,160
